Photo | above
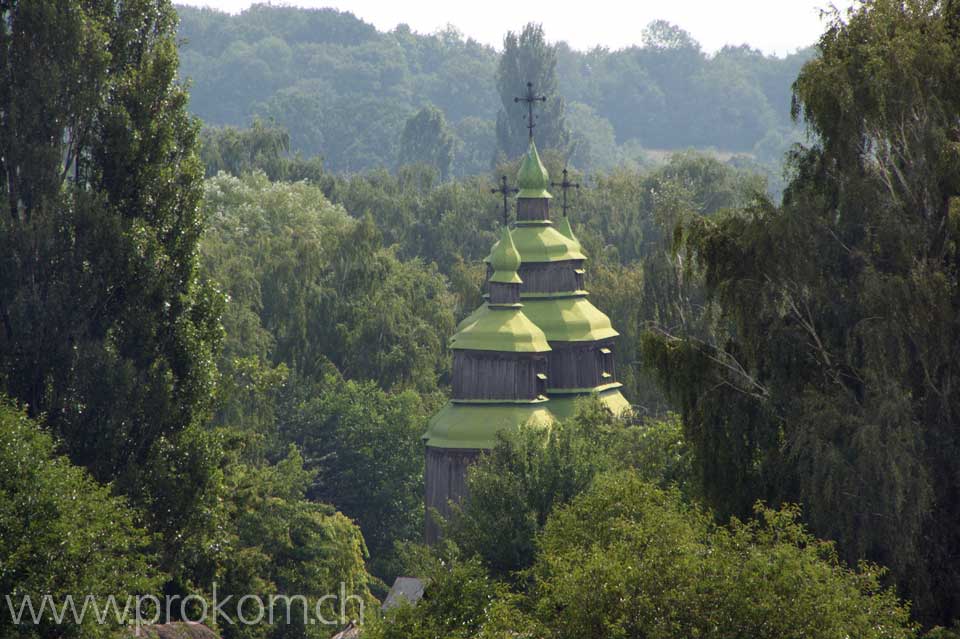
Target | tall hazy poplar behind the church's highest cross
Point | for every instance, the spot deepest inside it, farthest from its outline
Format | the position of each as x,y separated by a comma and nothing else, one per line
529,58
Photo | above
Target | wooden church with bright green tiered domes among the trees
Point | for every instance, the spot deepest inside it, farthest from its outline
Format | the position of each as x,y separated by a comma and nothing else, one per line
529,352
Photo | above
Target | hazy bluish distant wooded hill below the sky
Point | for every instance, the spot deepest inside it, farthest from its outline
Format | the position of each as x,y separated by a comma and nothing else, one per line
345,90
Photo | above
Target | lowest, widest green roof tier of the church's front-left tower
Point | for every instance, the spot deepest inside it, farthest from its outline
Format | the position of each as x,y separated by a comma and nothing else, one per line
476,425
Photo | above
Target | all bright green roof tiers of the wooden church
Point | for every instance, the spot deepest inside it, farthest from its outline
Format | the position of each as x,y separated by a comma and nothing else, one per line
542,319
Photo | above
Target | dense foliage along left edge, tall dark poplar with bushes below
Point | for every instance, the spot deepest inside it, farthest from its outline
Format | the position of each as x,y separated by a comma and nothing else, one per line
111,333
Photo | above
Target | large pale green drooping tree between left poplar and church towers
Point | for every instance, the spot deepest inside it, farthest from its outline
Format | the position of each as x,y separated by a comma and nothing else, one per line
313,287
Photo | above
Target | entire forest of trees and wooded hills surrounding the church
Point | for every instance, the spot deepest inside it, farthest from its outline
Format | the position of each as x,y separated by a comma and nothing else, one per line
233,250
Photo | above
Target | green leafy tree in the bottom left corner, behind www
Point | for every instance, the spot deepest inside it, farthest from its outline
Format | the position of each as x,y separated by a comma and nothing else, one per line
62,533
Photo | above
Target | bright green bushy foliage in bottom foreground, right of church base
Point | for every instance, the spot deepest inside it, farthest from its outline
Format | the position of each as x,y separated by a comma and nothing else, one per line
624,558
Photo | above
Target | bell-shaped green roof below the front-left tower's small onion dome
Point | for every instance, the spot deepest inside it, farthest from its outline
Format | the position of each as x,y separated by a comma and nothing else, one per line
504,329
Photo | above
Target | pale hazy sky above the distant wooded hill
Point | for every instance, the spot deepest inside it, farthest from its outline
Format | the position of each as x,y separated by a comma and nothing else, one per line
774,26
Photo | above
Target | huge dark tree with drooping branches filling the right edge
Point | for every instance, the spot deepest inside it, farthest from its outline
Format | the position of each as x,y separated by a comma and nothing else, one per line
838,385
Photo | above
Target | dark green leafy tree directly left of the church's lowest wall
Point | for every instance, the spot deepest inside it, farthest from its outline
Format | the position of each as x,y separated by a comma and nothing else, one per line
365,447
